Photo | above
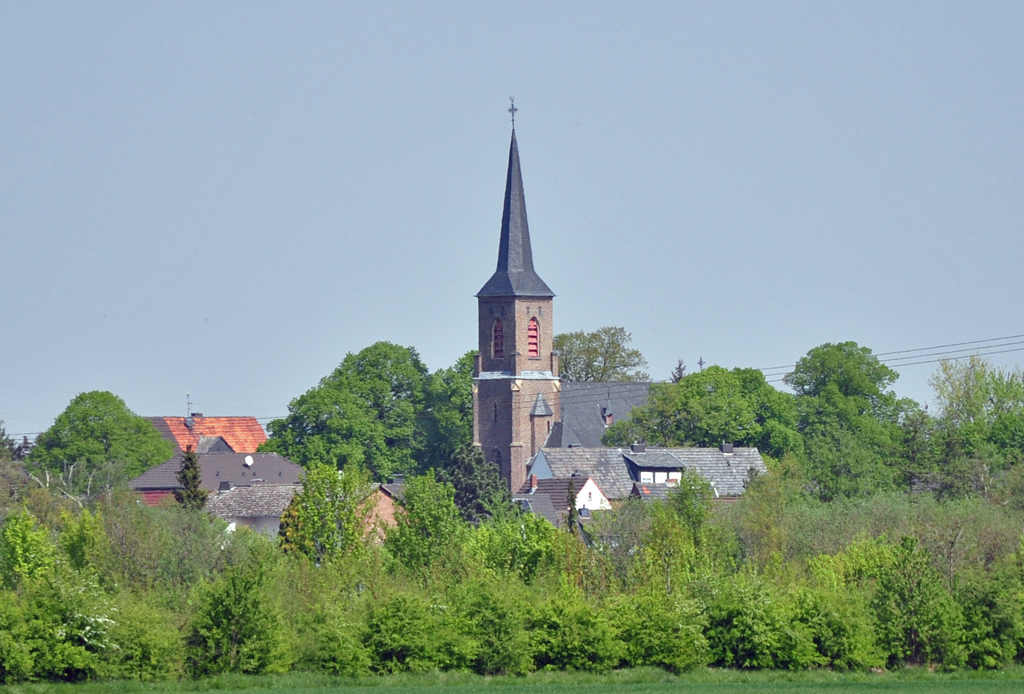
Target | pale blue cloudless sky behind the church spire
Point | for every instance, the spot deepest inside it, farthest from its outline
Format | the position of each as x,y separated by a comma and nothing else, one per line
227,198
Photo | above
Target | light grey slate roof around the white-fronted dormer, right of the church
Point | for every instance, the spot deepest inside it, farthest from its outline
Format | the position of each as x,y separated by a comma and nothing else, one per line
729,473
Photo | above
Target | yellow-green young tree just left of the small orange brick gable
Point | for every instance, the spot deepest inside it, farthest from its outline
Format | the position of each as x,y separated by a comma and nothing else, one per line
327,519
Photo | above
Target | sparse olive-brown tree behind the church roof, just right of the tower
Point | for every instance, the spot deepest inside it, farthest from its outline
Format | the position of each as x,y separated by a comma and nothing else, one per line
603,356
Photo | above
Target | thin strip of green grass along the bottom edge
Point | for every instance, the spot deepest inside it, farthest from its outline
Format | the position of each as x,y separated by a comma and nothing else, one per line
636,681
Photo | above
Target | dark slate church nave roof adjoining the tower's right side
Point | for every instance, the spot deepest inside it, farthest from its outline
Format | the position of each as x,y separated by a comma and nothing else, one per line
584,407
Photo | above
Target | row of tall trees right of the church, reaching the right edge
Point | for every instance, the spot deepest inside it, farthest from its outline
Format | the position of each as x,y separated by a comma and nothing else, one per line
851,436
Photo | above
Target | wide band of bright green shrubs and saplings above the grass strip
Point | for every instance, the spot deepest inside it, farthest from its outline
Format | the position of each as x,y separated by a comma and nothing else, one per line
778,580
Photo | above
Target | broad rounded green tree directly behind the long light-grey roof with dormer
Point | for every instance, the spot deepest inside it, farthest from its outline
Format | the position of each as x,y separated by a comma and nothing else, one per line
711,407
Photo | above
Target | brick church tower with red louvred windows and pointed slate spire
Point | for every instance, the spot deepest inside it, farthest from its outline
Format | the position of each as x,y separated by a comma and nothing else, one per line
516,387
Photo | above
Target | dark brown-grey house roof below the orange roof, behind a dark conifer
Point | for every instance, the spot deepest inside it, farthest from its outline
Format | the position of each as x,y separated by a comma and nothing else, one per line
218,468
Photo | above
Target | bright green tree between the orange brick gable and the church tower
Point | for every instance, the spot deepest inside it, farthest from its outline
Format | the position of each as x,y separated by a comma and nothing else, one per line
429,526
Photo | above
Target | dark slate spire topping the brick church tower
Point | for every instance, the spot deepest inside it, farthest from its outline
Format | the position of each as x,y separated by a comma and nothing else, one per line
516,276
